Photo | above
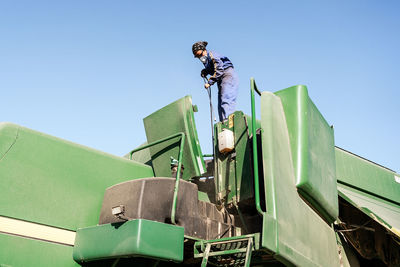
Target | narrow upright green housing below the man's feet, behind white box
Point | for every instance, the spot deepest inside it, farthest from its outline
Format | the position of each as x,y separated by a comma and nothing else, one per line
234,172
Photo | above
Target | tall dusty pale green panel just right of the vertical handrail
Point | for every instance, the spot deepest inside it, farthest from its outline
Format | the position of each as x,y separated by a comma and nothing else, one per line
291,228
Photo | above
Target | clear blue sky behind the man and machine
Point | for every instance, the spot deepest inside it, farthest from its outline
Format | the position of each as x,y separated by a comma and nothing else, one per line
89,71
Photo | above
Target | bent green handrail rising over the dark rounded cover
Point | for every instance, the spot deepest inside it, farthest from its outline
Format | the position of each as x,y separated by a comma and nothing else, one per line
178,174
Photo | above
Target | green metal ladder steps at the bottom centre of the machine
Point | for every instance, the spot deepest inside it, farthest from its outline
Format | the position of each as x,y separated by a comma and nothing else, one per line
232,251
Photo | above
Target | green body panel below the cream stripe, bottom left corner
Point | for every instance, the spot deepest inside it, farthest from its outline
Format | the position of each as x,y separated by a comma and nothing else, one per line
21,252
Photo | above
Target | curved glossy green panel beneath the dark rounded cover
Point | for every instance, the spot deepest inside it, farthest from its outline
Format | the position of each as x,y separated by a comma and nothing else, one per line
135,238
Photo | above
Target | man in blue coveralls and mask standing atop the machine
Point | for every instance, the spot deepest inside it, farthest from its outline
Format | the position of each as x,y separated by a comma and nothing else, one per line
221,70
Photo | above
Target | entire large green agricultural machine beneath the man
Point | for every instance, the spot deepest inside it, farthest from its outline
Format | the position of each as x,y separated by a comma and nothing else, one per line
274,192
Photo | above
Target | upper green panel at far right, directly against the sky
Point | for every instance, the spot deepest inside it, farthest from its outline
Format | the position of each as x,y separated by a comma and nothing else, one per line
366,175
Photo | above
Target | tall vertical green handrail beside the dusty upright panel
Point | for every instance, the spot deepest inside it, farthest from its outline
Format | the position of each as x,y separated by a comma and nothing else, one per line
253,87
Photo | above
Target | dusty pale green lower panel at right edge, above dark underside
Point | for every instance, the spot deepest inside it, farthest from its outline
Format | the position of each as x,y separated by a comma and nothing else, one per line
384,212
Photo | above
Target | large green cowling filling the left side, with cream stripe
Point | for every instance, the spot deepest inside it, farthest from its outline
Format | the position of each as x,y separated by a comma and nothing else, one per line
53,183
